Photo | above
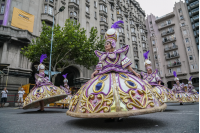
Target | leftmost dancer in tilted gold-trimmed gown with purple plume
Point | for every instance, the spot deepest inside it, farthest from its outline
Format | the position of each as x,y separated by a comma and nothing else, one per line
44,92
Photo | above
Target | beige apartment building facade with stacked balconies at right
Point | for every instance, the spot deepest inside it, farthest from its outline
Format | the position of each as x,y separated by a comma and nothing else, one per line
173,46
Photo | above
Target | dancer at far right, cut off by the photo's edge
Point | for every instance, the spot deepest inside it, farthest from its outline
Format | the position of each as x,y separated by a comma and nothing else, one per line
192,92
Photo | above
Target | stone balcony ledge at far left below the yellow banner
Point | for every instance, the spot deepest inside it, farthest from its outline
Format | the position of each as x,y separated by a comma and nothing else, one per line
19,34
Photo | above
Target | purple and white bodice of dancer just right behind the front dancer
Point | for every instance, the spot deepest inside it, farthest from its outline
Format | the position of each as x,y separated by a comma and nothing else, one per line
152,78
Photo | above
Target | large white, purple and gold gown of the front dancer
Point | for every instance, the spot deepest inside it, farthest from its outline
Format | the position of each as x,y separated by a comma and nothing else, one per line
114,91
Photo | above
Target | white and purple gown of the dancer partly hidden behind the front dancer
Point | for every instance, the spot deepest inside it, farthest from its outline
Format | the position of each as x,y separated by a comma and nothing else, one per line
160,91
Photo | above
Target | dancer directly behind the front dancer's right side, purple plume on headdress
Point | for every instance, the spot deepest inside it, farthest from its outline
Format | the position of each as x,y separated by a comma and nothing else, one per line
154,80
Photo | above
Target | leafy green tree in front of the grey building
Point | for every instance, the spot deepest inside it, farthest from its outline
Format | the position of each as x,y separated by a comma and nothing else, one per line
70,45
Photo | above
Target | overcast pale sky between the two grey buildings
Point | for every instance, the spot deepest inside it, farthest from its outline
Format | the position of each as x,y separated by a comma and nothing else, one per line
157,7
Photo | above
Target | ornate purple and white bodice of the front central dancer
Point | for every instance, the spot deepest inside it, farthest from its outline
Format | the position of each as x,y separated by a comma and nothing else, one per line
113,61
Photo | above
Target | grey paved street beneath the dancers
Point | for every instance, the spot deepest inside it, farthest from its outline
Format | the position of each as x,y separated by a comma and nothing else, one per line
175,119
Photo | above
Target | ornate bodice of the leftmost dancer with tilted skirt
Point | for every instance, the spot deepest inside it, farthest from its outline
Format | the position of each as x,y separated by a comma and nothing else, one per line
41,80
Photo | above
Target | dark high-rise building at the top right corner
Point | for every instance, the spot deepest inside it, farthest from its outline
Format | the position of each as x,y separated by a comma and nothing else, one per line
193,10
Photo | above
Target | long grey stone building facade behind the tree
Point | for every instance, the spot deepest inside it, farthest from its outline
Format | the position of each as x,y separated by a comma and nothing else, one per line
100,14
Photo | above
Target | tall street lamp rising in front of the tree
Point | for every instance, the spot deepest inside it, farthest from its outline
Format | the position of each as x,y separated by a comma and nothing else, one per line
60,10
